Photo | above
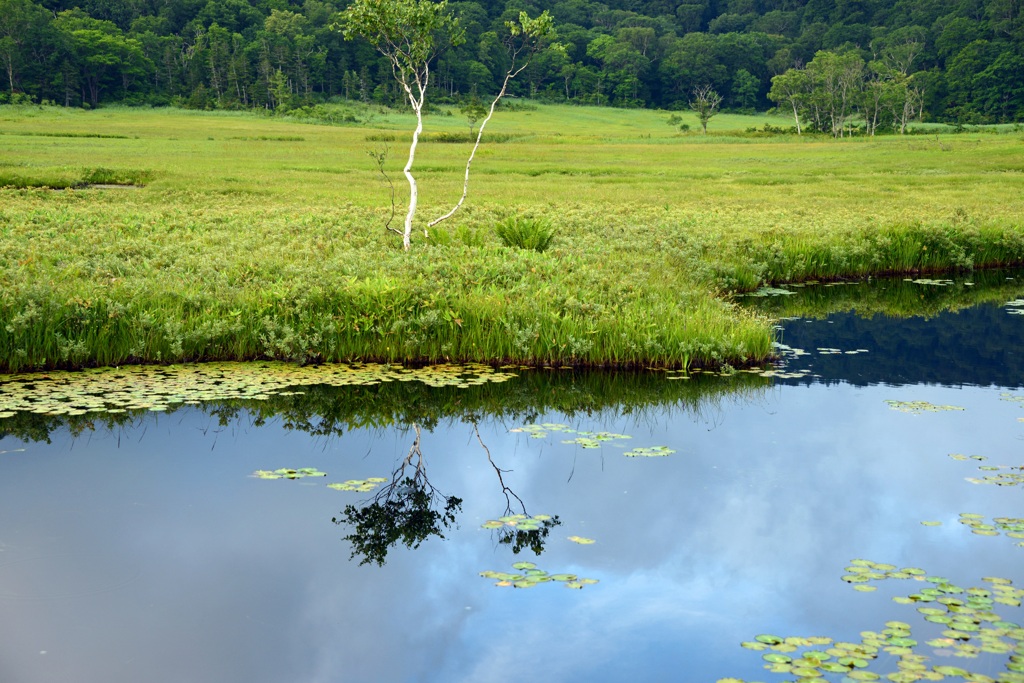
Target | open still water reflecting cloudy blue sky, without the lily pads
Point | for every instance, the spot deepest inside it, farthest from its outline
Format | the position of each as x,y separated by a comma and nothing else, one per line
148,552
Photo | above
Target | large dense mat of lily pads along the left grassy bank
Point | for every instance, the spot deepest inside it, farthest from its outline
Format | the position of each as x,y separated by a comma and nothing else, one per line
159,389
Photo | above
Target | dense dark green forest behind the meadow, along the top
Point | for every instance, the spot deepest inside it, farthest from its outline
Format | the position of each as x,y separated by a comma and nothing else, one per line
950,61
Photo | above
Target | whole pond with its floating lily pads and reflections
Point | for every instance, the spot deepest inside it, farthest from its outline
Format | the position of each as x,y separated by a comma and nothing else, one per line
854,514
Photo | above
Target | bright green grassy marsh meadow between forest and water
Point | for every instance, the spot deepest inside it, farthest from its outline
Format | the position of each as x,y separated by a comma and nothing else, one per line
150,236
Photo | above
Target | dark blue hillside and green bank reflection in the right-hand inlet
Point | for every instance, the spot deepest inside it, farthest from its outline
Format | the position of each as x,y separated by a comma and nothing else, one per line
906,332
